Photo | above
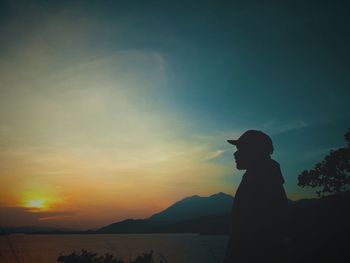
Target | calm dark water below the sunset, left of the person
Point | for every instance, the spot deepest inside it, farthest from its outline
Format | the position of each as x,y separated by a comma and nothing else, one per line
176,248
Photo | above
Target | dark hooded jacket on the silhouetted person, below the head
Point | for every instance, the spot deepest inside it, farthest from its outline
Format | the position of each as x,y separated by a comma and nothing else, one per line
259,215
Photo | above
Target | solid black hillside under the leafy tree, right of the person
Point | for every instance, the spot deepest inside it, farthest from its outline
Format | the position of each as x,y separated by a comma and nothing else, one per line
319,229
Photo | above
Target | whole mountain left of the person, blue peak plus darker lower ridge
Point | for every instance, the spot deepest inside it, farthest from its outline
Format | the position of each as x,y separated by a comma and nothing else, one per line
179,217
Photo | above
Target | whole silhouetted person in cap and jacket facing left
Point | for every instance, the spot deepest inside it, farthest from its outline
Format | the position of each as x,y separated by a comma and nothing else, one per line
260,204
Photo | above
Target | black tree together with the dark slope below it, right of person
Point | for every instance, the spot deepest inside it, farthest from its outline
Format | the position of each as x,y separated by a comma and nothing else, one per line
319,229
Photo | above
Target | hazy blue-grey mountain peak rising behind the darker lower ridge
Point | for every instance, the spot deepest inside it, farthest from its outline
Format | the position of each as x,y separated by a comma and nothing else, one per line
194,207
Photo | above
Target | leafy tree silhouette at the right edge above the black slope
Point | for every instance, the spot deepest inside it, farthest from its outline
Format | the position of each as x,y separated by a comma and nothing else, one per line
332,174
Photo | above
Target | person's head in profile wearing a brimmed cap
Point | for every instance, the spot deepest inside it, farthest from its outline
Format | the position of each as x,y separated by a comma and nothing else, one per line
252,147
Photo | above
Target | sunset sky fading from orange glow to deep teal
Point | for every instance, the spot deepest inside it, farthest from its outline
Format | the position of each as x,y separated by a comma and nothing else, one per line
117,109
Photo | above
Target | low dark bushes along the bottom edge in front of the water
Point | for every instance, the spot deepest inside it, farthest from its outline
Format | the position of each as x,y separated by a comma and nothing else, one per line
91,257
